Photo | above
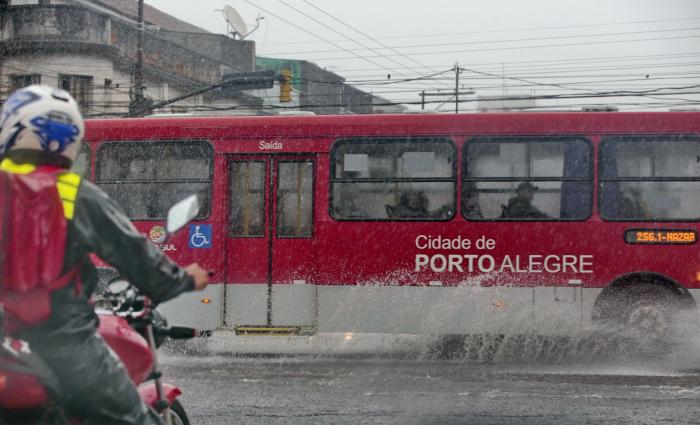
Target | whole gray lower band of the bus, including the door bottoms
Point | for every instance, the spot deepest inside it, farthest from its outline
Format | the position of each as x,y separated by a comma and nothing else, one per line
391,309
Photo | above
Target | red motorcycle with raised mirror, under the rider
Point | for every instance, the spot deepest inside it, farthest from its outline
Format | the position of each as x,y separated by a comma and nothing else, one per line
133,328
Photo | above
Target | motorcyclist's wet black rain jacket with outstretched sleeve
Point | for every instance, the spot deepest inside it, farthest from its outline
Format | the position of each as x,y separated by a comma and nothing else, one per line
100,226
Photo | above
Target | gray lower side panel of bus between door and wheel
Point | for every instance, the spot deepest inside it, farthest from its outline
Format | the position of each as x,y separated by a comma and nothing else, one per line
441,310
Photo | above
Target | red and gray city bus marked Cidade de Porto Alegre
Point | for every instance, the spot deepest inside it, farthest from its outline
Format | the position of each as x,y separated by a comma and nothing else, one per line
419,224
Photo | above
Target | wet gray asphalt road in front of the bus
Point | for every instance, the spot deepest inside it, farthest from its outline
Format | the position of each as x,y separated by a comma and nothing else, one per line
307,390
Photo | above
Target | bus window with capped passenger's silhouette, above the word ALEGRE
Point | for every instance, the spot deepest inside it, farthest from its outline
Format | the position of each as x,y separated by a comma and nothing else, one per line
539,178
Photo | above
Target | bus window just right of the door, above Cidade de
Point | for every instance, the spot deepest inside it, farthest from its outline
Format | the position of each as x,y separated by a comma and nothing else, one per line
393,179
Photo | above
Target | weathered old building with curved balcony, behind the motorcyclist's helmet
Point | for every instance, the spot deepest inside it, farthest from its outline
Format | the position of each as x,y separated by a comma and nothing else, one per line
91,52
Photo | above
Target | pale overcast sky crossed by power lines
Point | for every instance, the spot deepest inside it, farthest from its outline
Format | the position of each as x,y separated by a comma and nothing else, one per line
564,48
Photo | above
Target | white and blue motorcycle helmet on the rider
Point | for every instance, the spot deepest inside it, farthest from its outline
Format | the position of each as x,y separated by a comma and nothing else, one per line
41,118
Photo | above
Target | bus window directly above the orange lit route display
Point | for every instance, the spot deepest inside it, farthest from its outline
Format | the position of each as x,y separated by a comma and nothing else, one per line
650,178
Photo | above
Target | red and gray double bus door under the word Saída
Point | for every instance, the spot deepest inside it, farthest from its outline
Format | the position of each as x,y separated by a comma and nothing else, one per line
269,247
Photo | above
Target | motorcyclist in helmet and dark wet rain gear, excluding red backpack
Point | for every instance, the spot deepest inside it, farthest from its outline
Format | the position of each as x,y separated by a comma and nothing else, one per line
39,126
